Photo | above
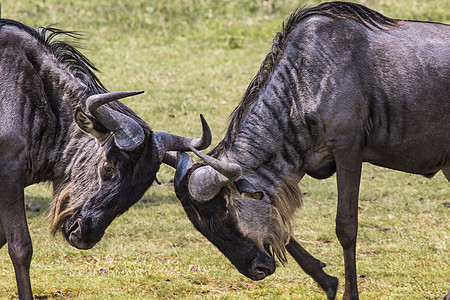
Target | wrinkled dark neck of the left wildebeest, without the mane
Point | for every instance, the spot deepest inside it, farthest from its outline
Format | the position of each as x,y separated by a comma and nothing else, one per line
46,92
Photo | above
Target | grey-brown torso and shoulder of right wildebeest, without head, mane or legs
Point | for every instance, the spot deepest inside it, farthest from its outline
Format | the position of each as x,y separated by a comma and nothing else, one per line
341,84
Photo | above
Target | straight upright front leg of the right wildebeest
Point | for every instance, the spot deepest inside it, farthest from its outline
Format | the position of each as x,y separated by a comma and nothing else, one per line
348,172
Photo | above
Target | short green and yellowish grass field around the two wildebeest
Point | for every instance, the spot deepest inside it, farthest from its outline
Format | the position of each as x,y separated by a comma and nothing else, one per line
196,57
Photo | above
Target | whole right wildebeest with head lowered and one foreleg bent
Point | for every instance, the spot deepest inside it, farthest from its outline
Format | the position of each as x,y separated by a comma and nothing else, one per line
341,86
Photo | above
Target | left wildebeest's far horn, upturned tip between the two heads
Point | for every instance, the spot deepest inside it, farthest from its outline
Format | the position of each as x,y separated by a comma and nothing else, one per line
172,142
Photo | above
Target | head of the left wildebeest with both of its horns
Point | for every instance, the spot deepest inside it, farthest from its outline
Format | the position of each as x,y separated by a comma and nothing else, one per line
121,164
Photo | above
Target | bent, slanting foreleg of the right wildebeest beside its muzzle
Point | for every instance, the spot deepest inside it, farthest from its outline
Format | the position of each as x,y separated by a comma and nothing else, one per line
314,268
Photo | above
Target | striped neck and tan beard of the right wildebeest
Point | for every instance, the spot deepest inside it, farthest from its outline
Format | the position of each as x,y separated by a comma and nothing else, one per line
269,162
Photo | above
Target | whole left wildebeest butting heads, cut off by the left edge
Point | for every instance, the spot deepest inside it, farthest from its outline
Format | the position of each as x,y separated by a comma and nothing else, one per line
58,124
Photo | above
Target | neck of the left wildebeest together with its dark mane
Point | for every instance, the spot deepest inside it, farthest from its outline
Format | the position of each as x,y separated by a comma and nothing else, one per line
50,78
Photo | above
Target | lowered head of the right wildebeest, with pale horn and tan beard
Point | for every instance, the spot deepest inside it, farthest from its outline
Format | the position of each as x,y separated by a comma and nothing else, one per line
239,219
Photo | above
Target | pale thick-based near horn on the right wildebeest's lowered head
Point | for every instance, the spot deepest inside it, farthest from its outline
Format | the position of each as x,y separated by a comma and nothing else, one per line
206,182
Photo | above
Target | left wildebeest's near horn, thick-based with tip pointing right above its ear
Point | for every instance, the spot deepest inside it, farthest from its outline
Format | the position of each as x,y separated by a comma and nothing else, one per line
128,134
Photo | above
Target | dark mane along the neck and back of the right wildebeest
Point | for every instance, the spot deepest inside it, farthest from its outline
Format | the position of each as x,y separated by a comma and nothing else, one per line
341,10
